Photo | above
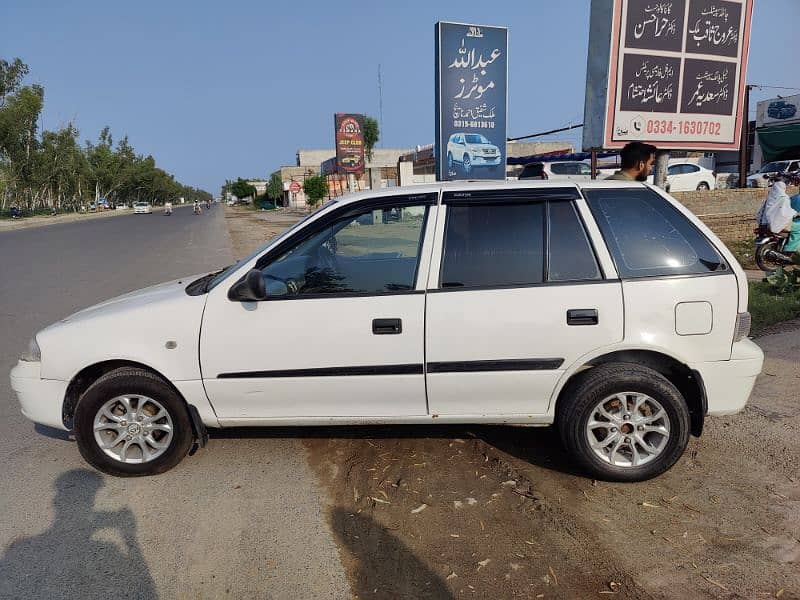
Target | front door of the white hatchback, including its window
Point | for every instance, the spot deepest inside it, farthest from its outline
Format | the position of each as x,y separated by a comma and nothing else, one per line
341,332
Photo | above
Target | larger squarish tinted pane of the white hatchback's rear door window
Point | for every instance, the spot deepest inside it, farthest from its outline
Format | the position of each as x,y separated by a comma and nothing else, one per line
493,245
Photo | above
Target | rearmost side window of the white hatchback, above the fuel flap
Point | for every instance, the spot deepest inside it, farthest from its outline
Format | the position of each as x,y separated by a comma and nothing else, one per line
647,236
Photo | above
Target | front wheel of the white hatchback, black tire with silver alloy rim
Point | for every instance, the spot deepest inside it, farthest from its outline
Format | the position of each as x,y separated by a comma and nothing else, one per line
171,434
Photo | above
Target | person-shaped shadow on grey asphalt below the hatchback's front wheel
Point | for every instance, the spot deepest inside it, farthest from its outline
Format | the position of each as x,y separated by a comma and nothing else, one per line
73,559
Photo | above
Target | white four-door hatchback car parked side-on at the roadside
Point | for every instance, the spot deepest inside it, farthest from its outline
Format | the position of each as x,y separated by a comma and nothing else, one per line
607,309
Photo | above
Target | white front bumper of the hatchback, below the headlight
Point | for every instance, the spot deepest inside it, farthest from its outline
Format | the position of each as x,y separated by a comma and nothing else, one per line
41,400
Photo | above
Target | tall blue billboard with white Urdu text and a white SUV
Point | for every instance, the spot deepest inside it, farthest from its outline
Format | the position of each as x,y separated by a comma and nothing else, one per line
471,101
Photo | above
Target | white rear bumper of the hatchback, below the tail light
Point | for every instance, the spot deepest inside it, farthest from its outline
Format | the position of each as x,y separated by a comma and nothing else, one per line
729,383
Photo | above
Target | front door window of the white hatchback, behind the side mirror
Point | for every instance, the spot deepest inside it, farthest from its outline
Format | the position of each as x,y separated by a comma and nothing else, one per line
370,252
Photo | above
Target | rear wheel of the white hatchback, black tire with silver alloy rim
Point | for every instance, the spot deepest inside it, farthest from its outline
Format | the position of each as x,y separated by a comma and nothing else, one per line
580,423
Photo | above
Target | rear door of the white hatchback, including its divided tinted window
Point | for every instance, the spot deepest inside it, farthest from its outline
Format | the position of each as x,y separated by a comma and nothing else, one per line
515,296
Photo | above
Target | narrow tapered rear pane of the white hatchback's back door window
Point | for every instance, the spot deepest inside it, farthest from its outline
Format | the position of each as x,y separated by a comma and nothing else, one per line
570,255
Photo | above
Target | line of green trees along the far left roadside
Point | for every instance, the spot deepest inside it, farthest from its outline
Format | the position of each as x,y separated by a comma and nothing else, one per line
52,170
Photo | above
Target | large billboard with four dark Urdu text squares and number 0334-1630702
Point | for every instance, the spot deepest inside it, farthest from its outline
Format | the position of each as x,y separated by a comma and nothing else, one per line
667,72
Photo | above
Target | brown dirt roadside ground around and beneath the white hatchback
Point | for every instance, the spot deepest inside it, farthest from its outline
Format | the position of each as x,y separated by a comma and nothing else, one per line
499,512
